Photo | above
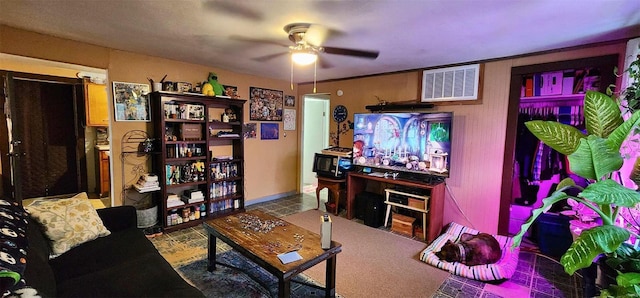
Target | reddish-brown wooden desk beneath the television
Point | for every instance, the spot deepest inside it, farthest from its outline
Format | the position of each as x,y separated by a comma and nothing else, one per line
356,183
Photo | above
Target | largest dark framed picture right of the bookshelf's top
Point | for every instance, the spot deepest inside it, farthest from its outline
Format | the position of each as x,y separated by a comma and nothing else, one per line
265,104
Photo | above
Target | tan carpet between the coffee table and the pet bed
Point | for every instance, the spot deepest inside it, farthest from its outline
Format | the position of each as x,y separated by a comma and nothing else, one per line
373,262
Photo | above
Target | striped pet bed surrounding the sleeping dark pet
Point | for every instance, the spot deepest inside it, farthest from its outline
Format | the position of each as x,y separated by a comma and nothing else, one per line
501,270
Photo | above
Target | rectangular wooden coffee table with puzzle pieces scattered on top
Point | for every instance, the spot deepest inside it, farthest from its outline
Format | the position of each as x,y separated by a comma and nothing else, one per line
261,245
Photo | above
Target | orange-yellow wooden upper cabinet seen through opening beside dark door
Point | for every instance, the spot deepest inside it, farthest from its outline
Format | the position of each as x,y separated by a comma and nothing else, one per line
97,107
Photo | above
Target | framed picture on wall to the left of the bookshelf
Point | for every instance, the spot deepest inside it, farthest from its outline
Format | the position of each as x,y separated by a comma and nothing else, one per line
131,101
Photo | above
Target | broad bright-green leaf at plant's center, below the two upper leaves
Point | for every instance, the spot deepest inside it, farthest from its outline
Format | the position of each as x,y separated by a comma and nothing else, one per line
594,158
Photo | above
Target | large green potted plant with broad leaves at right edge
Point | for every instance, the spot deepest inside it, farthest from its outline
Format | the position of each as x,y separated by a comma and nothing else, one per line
594,156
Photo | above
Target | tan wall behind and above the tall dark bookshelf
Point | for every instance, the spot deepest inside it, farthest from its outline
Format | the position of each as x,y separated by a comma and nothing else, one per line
270,167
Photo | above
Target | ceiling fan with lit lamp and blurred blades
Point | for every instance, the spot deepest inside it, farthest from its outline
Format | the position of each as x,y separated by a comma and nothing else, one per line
308,40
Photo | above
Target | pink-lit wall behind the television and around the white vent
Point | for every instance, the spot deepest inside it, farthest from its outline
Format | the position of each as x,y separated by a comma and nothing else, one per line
478,130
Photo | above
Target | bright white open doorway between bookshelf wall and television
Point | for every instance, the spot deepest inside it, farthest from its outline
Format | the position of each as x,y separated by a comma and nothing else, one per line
314,138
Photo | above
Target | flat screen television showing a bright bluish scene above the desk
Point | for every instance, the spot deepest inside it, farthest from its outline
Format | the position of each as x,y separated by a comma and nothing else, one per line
415,143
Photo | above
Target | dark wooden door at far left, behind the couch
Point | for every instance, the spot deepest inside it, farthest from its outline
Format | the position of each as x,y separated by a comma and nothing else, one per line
47,142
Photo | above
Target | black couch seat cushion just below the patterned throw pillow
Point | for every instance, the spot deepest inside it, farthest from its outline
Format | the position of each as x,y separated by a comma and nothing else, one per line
102,253
